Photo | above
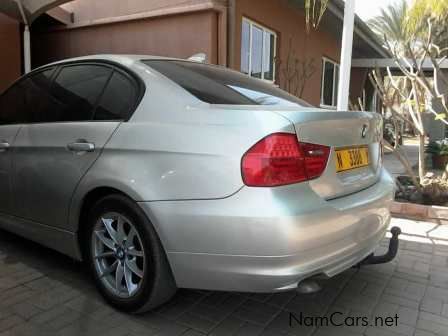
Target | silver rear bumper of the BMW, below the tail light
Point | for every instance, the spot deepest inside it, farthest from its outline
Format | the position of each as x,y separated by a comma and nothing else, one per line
267,240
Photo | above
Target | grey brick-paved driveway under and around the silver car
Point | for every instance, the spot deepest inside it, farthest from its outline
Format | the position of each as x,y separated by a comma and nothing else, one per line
45,293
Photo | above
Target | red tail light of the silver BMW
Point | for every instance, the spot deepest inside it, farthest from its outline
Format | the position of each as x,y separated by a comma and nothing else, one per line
280,159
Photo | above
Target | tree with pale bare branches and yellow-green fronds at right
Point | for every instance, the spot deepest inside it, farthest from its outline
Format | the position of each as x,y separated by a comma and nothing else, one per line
412,38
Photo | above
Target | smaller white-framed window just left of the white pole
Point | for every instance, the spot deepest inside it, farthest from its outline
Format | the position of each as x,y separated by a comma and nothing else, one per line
330,83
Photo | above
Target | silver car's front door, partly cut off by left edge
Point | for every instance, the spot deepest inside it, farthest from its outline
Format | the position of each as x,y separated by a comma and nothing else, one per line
11,108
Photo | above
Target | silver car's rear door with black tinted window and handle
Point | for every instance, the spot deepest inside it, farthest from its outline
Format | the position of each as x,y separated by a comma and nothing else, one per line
61,141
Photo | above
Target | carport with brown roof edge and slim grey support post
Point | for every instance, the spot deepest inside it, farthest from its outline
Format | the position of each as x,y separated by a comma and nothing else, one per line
26,11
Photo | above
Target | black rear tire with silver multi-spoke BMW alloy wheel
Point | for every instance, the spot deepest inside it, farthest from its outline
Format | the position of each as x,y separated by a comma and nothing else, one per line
126,257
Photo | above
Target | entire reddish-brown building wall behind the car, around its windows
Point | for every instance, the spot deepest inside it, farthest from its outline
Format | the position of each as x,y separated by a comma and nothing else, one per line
187,34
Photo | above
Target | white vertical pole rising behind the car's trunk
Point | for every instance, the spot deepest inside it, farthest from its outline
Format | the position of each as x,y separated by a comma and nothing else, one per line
346,55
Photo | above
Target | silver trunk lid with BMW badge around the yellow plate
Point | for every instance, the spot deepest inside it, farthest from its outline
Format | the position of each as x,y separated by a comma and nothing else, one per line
341,131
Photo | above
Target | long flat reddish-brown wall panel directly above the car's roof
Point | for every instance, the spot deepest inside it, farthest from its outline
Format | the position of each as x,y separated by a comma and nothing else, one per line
175,36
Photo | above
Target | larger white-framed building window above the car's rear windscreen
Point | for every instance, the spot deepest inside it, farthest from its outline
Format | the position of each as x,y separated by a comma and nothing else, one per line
258,47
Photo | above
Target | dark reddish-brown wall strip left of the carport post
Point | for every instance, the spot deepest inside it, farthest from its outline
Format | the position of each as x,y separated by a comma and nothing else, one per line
10,55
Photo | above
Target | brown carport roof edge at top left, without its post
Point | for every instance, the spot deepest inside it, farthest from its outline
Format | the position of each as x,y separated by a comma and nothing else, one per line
27,11
